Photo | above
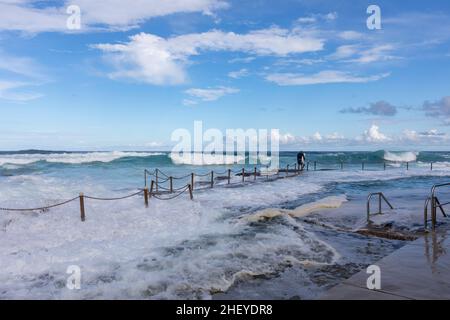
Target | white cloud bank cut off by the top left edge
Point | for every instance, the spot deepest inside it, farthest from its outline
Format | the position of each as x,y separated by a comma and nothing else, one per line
25,15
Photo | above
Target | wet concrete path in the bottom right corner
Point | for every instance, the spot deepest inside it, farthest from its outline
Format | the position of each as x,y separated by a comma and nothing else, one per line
419,270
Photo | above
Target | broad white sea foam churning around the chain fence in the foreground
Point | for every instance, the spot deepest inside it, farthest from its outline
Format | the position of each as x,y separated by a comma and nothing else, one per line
173,249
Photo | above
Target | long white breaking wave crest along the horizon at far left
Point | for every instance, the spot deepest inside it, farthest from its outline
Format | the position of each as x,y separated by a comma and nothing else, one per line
71,158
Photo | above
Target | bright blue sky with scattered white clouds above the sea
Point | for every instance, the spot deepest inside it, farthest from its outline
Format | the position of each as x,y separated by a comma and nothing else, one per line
135,71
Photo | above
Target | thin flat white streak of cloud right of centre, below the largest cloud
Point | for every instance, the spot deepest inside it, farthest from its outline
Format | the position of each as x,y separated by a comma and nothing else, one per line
323,77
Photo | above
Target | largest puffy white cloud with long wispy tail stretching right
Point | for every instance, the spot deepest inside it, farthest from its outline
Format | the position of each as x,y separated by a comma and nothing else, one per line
156,60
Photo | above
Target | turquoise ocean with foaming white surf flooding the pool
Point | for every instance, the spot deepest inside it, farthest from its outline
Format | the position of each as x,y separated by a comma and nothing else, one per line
263,239
